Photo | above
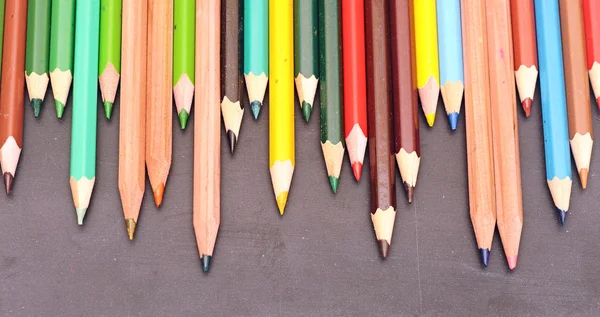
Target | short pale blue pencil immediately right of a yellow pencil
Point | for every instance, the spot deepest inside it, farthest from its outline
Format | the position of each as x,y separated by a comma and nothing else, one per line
450,55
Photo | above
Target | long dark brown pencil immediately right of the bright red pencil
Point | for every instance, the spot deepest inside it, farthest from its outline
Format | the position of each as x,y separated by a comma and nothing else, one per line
379,104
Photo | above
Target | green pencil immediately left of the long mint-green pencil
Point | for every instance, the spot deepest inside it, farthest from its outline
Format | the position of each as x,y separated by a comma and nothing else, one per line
62,43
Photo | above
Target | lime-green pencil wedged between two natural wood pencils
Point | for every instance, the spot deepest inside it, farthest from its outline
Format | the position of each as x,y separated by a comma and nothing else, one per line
184,37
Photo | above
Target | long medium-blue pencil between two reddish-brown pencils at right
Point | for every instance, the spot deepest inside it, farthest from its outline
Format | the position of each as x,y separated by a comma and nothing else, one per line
554,104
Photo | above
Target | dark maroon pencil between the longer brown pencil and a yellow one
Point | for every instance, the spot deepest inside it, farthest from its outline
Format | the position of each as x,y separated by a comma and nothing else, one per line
405,107
